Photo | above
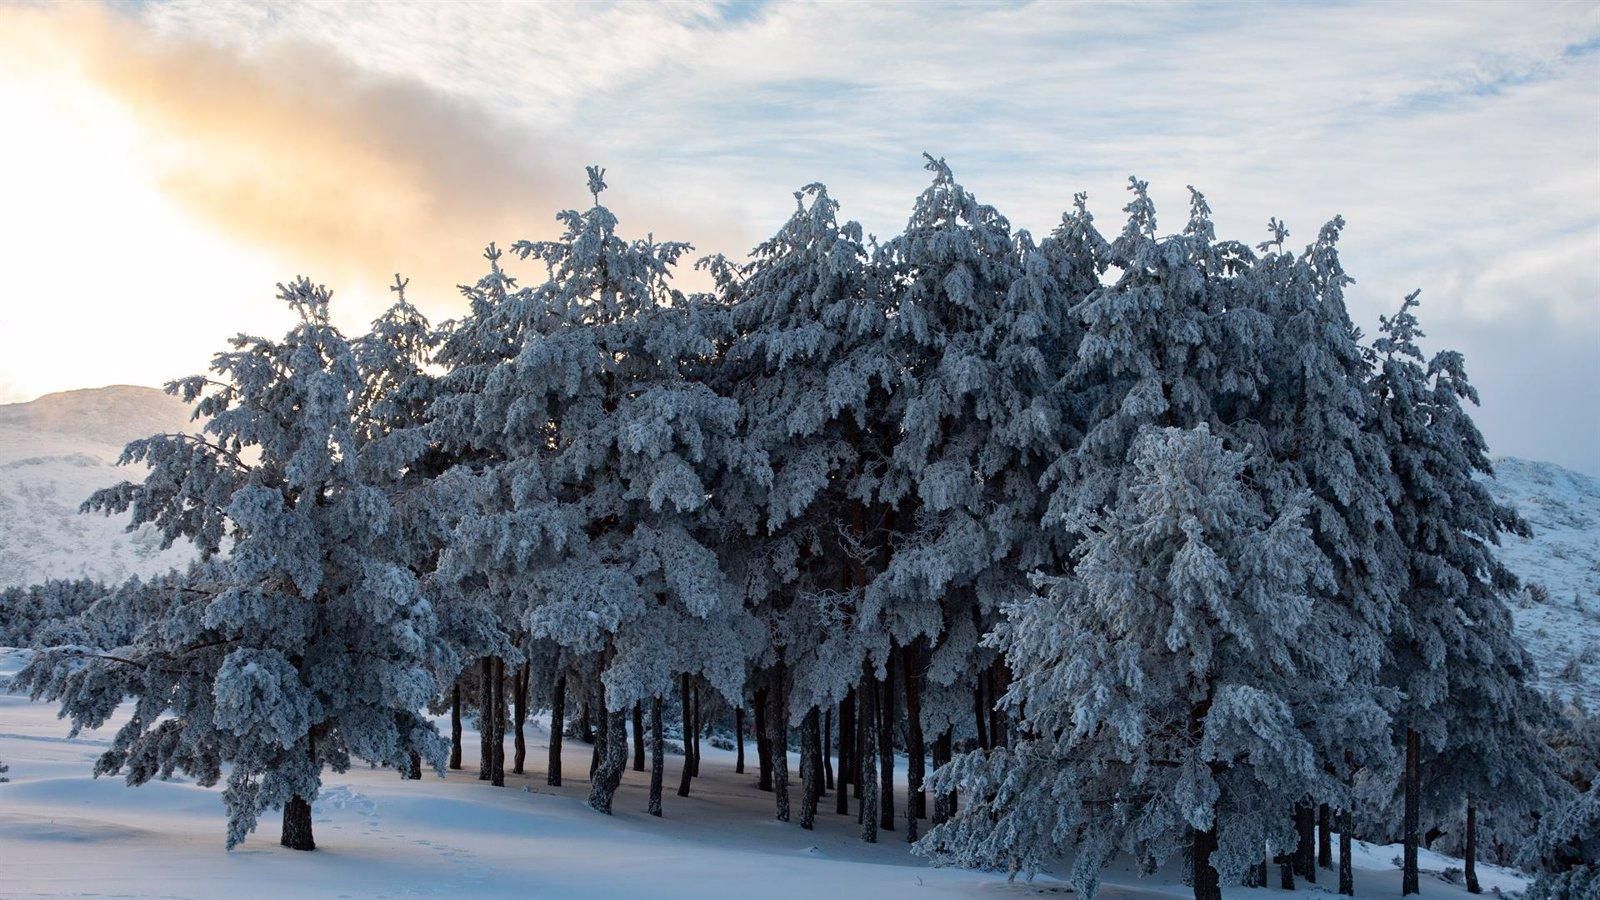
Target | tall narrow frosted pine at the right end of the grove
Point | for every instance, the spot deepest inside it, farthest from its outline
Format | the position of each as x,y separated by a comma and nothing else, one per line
1446,654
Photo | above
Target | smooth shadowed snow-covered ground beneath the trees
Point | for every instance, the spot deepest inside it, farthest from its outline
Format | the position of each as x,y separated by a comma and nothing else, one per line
68,835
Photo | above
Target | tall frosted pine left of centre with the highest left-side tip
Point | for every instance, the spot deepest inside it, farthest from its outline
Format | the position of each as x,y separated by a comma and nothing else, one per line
602,448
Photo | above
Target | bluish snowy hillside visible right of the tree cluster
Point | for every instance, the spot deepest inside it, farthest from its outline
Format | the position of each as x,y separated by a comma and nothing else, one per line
1559,611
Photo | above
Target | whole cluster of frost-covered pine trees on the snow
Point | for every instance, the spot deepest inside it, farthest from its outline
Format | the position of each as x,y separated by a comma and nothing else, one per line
1130,545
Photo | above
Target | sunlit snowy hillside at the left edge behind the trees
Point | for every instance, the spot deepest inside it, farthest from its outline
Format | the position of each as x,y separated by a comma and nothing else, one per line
54,454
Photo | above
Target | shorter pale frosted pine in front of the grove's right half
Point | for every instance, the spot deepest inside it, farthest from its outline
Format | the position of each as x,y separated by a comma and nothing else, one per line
1158,683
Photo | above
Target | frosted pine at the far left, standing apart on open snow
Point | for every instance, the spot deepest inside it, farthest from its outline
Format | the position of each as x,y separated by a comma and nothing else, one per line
300,643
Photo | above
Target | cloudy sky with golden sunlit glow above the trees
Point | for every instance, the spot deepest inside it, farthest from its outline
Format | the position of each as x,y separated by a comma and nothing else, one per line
167,164
